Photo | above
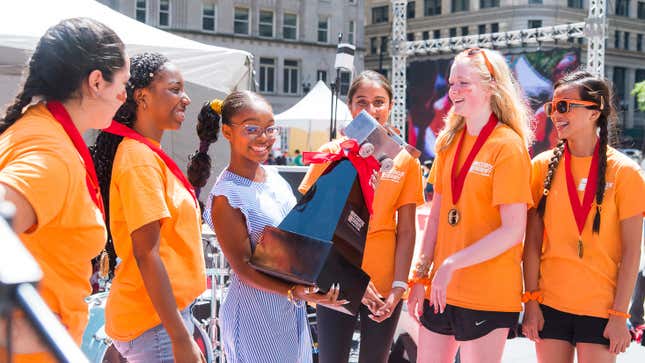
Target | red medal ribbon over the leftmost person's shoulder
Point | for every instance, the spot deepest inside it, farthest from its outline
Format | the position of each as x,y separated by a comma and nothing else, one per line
62,116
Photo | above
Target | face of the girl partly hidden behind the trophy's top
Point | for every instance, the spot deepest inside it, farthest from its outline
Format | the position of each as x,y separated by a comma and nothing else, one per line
373,98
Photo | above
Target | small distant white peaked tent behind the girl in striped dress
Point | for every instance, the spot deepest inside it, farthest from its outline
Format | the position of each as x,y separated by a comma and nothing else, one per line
313,112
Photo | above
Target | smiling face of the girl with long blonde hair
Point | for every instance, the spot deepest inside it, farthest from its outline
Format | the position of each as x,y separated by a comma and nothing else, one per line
466,92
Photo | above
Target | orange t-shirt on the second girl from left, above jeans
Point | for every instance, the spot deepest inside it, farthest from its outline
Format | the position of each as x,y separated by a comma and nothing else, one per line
144,190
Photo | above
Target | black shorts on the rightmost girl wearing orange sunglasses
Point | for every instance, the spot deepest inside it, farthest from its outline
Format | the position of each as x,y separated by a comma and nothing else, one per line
572,328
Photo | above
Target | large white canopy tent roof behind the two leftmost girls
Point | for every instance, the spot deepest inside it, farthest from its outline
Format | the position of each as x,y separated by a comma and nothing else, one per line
23,22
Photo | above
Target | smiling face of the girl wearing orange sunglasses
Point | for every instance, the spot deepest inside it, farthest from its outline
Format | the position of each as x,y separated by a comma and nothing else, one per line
578,121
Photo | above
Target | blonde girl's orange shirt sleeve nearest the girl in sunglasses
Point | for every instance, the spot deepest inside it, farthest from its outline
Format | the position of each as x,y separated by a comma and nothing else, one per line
512,175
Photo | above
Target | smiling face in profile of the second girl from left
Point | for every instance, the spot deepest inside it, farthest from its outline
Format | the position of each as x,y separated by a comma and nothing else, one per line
167,99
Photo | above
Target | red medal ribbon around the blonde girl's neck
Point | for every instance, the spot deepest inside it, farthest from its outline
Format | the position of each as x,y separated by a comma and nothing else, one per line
457,181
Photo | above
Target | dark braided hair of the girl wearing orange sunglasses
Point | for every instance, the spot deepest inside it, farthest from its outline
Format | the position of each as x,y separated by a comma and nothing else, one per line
598,90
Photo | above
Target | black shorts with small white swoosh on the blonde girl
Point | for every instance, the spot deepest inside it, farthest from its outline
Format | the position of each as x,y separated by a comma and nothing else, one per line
466,324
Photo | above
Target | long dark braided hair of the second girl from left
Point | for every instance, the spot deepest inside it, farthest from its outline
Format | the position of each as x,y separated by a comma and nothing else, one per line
143,68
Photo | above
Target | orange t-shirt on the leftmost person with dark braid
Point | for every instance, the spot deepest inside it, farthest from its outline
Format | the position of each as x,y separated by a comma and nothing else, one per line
39,160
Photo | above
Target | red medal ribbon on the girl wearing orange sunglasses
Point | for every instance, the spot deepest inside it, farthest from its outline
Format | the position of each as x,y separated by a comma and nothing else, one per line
581,211
